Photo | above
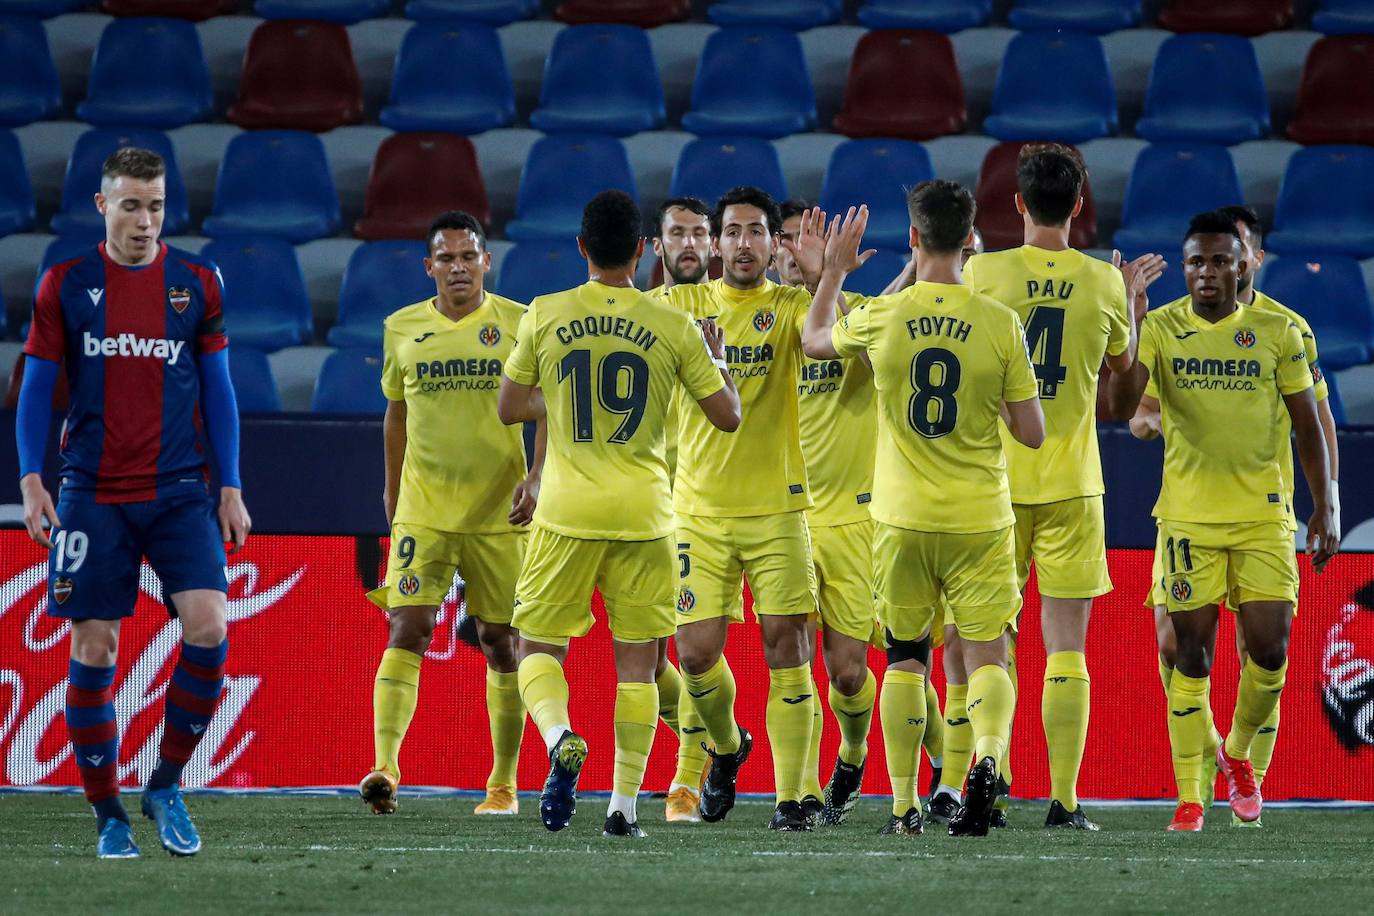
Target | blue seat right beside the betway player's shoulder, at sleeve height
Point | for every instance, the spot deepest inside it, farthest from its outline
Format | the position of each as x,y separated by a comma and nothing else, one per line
266,306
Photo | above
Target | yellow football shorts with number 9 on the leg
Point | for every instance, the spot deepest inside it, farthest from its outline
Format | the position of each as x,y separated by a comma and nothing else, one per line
420,571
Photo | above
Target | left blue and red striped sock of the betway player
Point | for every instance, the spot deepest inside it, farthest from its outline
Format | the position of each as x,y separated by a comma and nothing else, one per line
95,738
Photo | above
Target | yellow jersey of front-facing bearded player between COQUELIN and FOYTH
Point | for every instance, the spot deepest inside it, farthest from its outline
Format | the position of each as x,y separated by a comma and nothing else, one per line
759,469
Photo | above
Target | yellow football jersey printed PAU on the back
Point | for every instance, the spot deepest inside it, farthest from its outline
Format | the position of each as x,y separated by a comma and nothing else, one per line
1074,310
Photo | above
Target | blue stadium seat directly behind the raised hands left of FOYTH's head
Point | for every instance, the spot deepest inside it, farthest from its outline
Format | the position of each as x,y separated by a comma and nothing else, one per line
879,174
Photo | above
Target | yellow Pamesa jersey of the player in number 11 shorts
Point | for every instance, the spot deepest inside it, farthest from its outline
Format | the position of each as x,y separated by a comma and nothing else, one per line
1218,387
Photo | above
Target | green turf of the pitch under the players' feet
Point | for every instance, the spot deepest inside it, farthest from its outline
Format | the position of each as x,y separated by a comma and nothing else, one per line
328,855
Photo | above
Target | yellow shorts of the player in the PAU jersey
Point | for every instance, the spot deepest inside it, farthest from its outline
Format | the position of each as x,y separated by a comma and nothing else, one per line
1068,543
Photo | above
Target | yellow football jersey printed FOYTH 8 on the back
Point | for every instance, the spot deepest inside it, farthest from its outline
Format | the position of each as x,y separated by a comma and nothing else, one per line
945,359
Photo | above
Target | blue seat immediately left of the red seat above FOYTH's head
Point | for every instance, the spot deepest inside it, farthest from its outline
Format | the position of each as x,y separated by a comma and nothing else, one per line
769,65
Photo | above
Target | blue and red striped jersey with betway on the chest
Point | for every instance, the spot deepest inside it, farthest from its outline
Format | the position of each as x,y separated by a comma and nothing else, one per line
130,339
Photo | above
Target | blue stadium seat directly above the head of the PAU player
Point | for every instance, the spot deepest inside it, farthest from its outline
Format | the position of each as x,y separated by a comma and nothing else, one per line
1083,104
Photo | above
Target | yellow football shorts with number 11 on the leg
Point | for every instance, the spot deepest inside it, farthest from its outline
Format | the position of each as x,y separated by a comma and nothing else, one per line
1235,564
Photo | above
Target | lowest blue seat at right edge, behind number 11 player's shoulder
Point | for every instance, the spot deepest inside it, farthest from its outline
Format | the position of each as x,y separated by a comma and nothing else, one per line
1331,293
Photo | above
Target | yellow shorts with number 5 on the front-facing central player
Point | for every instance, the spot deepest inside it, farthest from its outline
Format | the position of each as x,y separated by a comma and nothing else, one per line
773,551
